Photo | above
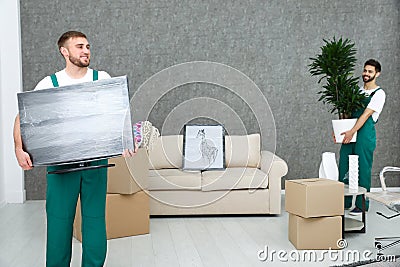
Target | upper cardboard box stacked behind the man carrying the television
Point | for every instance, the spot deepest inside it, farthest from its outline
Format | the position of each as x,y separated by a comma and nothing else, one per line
129,175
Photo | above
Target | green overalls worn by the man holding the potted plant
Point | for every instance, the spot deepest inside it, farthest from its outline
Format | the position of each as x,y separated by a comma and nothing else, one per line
364,147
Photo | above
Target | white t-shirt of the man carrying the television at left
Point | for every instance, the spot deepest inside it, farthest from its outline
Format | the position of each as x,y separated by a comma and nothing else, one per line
63,79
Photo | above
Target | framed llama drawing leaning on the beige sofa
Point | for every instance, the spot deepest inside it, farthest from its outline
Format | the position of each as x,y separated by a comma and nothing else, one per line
203,147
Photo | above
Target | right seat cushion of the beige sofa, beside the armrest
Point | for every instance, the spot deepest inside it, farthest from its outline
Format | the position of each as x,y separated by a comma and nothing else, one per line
234,178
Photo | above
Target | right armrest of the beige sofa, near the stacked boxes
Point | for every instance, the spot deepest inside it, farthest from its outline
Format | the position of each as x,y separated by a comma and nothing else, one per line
276,168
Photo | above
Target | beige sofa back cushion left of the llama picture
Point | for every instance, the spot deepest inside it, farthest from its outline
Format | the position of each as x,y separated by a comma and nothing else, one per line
166,153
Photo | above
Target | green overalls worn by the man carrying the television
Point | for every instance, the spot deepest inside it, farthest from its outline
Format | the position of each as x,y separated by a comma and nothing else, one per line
61,199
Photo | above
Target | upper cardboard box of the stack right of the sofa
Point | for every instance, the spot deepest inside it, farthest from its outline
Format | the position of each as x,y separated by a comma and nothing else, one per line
314,197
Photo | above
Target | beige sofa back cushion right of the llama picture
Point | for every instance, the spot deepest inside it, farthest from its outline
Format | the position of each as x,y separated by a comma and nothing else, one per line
242,151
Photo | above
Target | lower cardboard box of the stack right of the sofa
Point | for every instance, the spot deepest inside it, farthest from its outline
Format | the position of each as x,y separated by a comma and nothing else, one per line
315,233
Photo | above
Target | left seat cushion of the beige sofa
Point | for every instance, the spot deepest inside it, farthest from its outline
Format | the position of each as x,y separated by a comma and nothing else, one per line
174,179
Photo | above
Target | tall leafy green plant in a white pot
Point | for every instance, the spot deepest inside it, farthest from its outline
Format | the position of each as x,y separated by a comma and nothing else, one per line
335,66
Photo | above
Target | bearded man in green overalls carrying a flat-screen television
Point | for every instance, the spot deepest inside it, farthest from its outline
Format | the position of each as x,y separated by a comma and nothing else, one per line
63,189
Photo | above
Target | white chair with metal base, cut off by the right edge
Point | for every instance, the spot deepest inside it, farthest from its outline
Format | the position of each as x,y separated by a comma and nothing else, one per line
391,200
